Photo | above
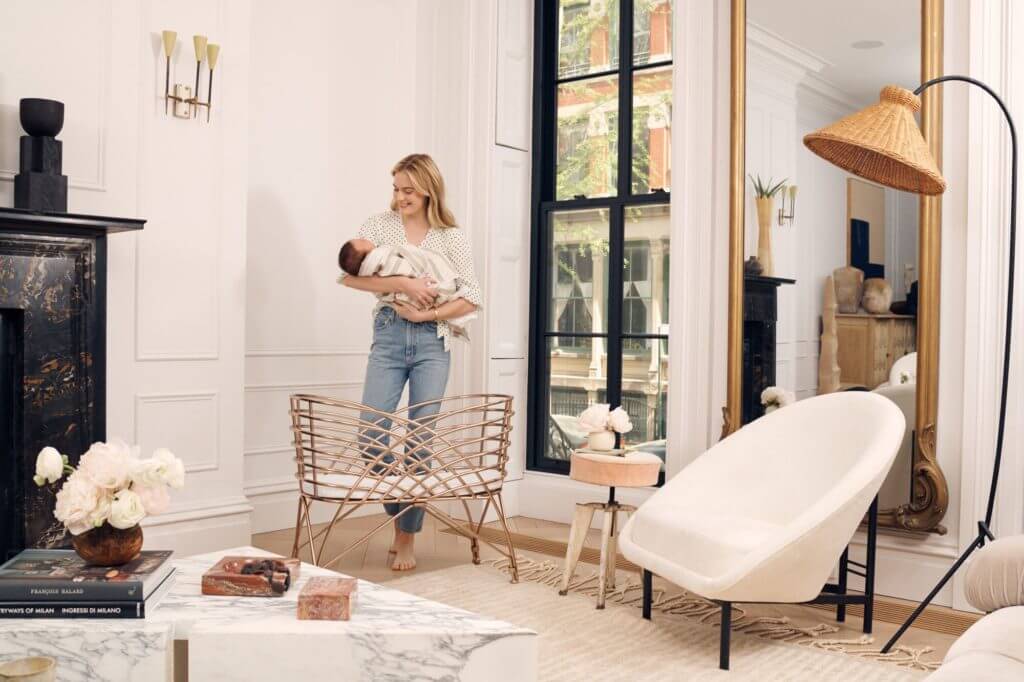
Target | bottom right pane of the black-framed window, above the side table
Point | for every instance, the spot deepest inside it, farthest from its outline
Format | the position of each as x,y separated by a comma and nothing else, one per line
646,392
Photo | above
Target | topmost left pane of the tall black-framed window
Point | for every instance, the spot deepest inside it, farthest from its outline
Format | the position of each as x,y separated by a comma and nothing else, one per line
588,37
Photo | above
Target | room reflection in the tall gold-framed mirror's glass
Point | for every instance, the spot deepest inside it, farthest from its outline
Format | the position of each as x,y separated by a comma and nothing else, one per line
831,293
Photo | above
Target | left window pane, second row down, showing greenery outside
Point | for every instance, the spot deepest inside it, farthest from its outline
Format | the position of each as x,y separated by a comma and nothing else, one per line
588,131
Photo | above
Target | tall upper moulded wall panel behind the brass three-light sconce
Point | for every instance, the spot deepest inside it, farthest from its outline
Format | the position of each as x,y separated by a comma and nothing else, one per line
167,141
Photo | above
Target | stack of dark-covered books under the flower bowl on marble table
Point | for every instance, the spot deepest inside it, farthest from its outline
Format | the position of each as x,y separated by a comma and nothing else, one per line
58,584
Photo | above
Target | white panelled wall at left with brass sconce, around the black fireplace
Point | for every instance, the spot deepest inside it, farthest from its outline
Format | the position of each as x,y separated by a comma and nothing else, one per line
176,291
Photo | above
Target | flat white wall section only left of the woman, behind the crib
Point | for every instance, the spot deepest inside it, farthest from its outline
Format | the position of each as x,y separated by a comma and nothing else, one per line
325,131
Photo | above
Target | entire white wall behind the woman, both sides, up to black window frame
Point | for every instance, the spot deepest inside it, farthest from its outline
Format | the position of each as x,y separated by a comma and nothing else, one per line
360,87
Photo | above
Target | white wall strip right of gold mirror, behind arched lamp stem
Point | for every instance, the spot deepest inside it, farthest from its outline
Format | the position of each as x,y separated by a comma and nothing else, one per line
994,55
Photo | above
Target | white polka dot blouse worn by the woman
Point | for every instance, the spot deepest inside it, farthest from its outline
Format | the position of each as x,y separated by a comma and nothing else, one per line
387,230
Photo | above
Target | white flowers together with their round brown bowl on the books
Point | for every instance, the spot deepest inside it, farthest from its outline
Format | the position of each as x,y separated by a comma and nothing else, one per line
105,498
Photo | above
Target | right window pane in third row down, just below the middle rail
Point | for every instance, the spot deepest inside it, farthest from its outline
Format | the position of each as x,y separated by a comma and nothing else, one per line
646,274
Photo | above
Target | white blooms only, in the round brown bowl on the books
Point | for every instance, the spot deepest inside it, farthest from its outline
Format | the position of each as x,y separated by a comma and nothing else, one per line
112,485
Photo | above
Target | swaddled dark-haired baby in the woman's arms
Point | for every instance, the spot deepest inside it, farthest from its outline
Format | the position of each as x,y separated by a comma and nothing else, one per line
362,259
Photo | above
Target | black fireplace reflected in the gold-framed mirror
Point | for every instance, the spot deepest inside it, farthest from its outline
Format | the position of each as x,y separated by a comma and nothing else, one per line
760,316
